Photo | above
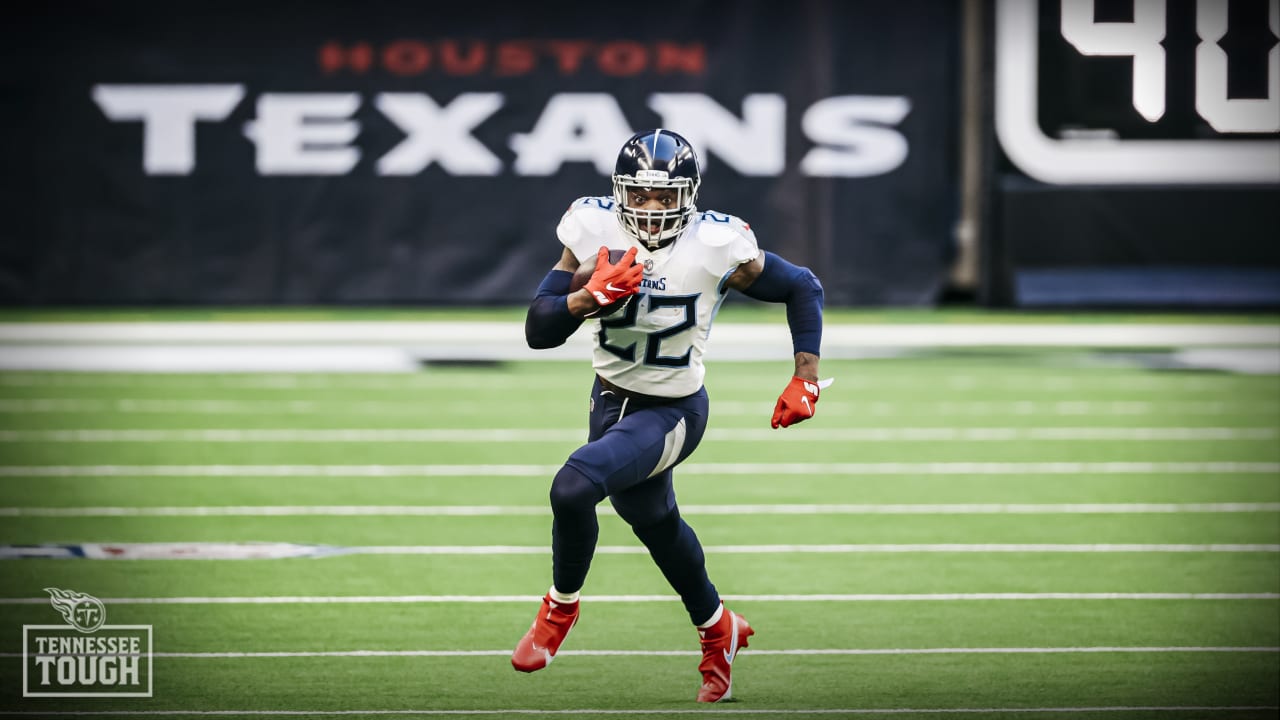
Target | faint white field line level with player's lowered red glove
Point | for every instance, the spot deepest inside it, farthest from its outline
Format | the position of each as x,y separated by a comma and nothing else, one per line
834,407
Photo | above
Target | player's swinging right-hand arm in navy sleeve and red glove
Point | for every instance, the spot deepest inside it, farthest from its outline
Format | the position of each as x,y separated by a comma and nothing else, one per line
771,279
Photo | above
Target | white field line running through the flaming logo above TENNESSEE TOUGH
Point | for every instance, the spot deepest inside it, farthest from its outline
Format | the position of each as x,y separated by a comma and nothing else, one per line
630,599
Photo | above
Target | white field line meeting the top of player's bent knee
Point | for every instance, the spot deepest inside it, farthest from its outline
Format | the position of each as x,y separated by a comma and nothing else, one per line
1119,468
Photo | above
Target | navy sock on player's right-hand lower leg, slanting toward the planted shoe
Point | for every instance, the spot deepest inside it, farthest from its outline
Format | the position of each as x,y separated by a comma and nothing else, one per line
675,548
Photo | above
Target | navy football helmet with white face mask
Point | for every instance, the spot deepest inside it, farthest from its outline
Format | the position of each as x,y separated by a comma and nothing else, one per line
656,160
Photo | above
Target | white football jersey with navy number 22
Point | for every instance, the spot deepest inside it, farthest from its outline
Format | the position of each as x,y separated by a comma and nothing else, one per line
655,345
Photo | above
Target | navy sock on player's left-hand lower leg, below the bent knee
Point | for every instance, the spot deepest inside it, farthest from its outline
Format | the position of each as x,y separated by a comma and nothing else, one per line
574,530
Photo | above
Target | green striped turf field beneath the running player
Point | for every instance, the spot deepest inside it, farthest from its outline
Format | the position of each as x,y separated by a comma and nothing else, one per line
970,534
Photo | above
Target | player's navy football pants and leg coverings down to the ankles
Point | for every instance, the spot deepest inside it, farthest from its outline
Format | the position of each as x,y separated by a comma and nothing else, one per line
630,453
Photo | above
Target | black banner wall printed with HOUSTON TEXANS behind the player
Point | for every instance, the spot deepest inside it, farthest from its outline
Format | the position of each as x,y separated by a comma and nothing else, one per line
391,153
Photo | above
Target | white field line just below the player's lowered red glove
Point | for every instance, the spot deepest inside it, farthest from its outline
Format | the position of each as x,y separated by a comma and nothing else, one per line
578,435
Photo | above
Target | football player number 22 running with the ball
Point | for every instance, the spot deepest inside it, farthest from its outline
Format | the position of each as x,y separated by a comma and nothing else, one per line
653,311
